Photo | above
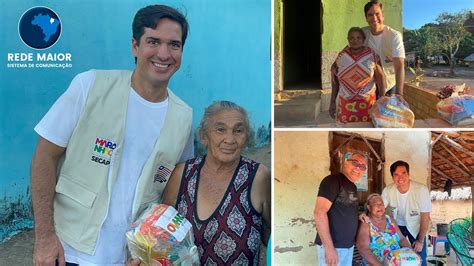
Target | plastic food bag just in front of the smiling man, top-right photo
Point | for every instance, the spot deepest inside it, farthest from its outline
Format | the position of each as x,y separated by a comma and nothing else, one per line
392,111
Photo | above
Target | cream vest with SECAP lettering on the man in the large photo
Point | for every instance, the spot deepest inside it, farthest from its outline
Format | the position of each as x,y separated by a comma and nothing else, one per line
92,158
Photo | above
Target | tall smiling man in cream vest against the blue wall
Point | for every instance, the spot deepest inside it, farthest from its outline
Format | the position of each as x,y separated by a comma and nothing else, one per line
146,133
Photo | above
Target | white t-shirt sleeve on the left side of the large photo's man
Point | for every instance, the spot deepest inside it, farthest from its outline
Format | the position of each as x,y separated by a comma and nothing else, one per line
61,119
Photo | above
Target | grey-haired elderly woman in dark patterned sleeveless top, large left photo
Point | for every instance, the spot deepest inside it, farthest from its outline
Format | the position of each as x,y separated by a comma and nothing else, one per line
224,195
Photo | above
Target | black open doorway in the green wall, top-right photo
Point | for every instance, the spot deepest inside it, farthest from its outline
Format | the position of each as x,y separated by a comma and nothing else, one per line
301,45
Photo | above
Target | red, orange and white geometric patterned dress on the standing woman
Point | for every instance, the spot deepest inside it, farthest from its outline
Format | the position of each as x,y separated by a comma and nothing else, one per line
356,85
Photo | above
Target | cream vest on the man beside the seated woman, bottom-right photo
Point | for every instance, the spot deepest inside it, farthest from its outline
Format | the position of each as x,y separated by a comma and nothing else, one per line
412,210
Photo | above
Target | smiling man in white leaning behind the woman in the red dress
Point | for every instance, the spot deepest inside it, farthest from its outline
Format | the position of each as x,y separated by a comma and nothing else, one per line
388,44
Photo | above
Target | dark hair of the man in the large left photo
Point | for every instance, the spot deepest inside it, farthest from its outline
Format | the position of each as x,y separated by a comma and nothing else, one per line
148,17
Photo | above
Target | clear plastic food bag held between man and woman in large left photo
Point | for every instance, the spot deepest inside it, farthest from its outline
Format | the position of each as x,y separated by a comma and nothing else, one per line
161,236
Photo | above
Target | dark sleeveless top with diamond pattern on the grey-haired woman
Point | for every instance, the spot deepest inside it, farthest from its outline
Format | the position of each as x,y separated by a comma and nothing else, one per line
231,235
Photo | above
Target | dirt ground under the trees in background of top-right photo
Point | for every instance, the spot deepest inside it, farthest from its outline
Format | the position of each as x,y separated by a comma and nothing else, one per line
437,77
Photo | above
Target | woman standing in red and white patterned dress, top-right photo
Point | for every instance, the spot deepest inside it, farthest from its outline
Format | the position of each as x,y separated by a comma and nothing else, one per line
354,74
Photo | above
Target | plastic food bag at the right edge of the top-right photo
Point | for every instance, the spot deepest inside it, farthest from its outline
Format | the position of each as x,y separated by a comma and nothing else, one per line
457,110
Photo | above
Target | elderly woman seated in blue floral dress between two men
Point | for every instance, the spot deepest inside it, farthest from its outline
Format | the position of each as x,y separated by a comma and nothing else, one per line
380,235
